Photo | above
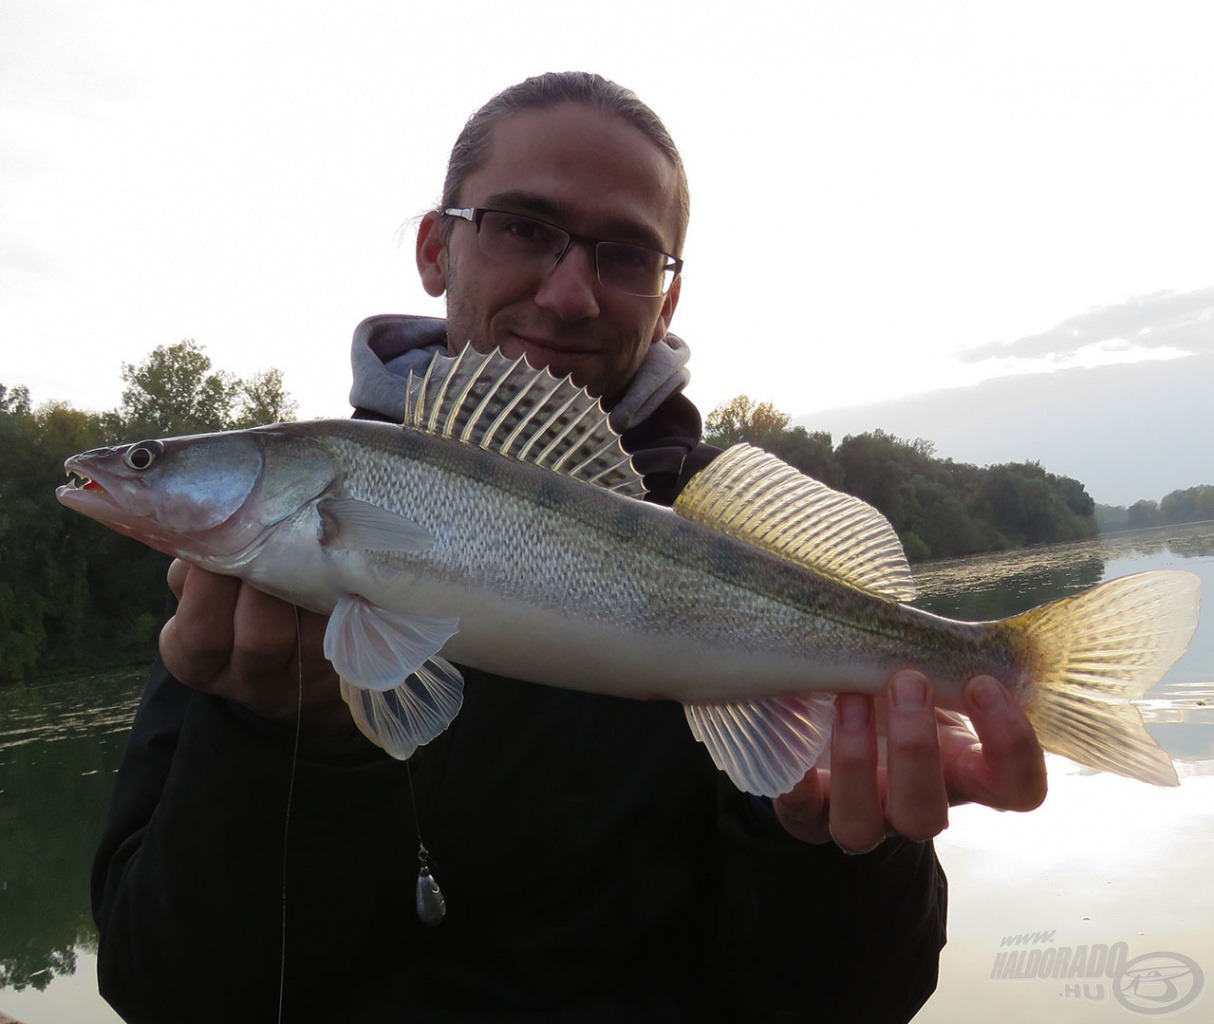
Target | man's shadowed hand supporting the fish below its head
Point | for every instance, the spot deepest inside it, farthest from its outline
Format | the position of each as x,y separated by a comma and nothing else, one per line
235,642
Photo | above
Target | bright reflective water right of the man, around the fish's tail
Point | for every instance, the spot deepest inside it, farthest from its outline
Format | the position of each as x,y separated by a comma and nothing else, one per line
1105,861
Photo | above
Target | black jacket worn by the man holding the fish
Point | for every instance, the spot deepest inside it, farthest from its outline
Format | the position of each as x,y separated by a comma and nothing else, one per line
595,864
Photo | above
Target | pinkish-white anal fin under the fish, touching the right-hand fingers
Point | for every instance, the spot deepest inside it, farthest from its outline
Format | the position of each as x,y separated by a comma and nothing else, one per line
765,746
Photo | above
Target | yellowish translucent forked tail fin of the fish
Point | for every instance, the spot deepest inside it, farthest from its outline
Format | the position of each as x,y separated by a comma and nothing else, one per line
1093,654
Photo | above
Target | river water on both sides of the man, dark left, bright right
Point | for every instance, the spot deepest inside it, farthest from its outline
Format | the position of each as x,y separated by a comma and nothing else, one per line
1107,864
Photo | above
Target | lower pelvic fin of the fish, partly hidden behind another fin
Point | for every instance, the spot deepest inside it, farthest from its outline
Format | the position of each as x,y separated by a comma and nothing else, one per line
404,719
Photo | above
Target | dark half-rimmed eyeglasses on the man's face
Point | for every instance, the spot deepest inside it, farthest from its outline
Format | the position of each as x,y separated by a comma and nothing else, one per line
526,242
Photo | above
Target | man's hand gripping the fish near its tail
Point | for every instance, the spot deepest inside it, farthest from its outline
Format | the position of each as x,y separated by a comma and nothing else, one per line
928,762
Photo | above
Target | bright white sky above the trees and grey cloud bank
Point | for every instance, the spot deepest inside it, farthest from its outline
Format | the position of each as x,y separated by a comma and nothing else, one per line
888,199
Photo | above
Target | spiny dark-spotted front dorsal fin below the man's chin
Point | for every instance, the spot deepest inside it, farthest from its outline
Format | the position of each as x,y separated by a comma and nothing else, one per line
512,409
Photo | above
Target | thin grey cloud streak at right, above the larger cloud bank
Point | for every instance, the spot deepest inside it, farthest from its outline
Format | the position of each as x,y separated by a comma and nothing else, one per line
1162,325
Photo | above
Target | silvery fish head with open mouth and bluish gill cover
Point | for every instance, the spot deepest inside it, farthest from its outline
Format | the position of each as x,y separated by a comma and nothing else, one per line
207,496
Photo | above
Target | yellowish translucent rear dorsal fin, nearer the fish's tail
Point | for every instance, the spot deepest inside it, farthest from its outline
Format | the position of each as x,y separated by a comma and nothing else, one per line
761,500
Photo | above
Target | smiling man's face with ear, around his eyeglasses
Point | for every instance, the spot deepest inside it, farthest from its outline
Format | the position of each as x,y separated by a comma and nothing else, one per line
592,174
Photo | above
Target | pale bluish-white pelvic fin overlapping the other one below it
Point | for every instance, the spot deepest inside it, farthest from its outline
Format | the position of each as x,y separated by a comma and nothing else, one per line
375,648
